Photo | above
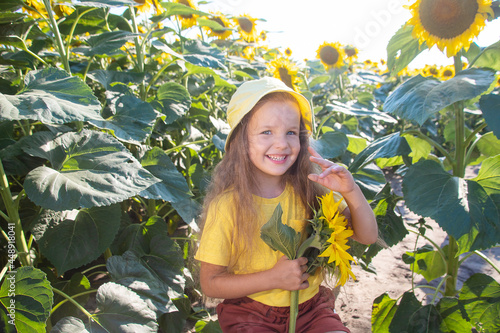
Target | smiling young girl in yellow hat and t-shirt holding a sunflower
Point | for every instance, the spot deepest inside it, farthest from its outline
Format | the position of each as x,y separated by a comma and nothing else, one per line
268,161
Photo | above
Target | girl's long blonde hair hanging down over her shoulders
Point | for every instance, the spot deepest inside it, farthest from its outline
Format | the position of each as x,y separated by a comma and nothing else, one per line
235,173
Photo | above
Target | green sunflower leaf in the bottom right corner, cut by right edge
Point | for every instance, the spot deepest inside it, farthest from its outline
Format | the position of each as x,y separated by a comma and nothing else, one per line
481,298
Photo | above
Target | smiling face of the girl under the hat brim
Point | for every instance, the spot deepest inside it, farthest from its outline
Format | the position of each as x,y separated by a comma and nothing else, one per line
273,138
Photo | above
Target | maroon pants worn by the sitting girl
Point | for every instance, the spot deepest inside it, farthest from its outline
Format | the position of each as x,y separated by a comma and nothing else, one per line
244,315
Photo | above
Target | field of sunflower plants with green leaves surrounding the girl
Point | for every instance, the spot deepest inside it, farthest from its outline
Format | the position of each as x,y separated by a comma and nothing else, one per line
112,117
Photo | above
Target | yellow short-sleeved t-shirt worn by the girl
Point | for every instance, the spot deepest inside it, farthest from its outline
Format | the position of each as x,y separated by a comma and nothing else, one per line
216,242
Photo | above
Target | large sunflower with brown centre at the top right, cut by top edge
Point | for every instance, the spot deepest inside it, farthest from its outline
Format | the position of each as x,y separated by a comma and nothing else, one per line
449,24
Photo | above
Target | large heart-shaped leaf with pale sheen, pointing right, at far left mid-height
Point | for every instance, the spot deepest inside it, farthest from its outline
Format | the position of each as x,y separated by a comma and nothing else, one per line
88,169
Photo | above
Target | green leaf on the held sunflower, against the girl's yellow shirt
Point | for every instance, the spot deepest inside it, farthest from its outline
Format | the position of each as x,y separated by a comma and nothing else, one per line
279,236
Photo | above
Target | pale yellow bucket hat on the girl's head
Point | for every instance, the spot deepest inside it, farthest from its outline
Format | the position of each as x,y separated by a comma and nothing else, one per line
250,92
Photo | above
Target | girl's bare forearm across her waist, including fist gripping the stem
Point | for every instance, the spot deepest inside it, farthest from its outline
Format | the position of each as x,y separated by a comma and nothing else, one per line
217,282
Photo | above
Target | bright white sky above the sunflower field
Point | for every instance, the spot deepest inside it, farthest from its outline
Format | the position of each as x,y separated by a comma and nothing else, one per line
304,25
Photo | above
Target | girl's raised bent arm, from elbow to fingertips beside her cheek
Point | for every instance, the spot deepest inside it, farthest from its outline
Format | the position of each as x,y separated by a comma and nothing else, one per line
339,179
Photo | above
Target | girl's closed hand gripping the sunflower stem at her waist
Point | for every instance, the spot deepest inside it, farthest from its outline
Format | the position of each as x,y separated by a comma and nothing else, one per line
291,274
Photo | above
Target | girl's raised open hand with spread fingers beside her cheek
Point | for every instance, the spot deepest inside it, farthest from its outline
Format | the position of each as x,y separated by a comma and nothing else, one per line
335,177
